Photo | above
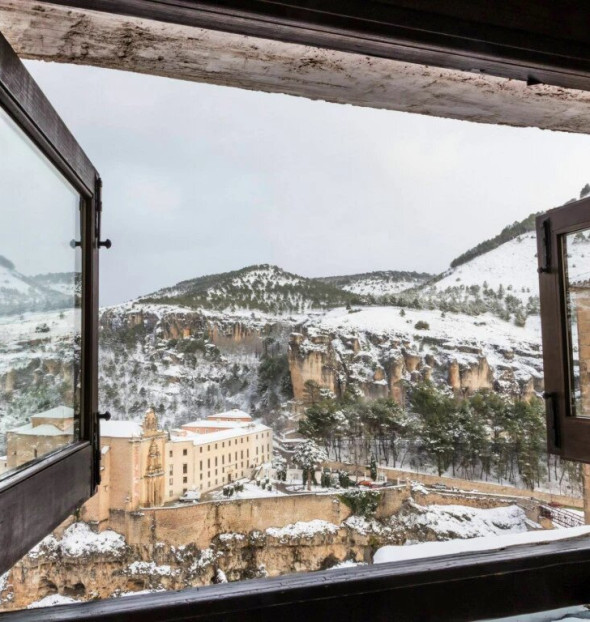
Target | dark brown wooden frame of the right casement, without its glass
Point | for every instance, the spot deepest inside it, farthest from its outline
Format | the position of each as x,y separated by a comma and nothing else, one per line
567,435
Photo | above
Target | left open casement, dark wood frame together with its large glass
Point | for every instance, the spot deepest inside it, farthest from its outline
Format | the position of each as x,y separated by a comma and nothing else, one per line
49,192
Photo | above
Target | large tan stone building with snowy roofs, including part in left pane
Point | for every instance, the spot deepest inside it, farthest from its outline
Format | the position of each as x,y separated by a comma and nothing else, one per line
144,466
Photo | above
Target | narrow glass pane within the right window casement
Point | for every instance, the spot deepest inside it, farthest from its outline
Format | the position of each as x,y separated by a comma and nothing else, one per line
577,280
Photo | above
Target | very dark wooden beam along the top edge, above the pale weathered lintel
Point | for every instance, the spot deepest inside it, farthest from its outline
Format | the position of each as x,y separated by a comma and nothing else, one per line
540,42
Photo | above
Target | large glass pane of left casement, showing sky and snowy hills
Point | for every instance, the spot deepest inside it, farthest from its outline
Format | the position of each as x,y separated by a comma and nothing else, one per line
39,303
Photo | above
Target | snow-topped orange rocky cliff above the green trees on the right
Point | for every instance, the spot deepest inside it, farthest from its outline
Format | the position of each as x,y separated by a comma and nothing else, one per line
374,351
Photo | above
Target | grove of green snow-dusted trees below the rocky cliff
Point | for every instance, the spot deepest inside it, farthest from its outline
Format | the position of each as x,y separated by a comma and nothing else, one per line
483,436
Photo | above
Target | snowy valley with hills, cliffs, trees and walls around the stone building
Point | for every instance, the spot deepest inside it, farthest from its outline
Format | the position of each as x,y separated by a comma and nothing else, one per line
392,373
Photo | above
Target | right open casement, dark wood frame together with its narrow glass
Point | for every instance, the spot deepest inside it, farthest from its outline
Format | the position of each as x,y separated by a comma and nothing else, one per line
564,285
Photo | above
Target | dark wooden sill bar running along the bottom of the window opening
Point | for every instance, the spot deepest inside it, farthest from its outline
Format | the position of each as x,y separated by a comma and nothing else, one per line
469,586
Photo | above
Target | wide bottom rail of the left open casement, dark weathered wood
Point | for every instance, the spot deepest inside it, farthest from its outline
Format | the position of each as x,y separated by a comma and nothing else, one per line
36,500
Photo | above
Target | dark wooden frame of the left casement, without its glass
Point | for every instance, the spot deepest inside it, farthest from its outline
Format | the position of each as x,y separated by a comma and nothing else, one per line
37,498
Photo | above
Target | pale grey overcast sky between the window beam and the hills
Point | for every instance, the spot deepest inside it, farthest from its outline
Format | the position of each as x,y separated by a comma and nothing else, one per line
201,179
